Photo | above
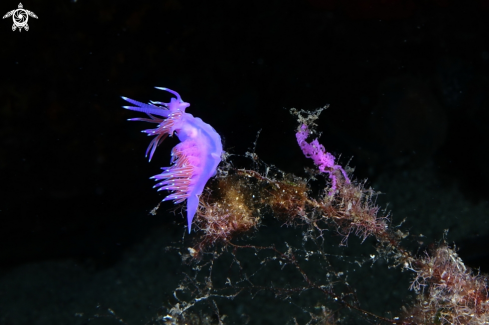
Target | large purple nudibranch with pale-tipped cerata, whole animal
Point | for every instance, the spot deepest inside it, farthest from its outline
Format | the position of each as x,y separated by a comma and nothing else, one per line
194,160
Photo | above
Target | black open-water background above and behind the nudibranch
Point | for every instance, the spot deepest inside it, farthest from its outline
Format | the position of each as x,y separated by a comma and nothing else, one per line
407,82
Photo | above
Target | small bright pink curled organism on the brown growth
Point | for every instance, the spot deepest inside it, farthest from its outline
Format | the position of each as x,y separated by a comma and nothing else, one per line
324,160
